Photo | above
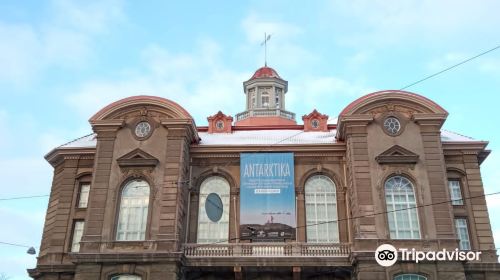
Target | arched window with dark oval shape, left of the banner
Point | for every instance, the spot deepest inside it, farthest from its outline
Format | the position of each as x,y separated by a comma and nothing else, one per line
213,214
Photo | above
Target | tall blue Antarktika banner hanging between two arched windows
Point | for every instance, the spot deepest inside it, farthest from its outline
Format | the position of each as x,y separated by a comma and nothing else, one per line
267,196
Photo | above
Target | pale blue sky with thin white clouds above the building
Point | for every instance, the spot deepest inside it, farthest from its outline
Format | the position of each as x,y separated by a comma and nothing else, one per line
61,61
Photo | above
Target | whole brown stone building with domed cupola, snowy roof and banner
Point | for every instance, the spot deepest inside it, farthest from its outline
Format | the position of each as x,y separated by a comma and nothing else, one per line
150,195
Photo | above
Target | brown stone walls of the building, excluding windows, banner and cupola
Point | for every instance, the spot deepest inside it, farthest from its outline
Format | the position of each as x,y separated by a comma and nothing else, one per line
172,160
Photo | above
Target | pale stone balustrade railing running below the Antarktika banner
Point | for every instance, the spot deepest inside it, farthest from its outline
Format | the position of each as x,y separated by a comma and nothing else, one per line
267,250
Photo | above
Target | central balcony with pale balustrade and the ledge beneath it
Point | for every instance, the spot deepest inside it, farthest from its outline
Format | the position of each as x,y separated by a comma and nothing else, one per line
273,253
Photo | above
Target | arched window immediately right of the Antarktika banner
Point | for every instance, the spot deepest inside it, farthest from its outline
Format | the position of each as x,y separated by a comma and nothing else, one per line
321,210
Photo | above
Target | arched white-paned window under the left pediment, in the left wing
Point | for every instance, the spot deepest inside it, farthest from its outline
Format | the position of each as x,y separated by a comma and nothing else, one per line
133,215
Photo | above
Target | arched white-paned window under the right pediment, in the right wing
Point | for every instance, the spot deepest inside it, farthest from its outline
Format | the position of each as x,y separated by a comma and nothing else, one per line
399,194
